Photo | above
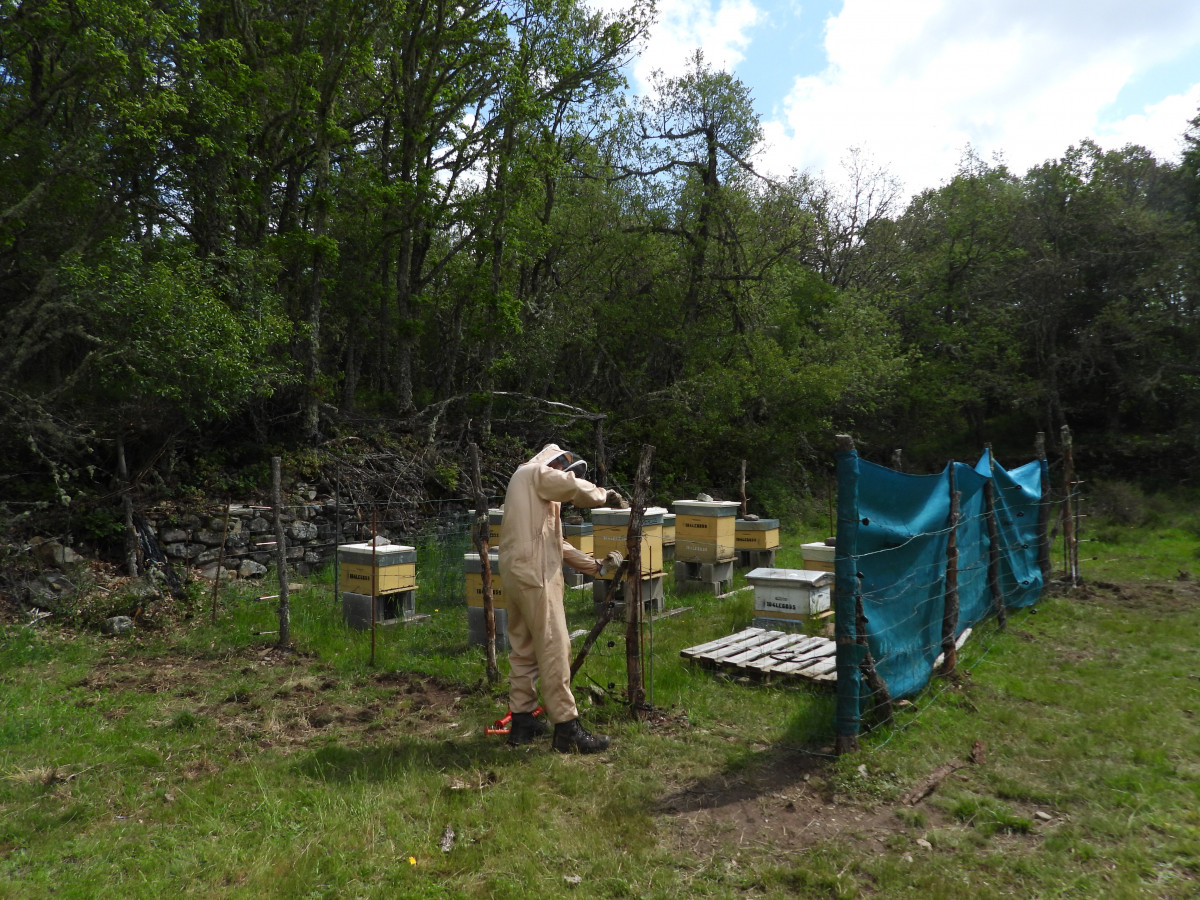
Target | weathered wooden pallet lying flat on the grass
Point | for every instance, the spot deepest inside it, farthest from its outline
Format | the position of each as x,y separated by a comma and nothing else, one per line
759,652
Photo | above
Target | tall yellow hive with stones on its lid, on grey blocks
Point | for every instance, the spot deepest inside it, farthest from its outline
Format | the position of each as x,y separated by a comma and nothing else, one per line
706,545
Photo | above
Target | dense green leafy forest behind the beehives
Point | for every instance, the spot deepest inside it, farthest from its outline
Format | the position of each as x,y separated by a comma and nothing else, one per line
233,229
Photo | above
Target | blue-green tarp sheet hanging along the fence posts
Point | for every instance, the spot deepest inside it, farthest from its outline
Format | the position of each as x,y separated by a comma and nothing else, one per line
893,533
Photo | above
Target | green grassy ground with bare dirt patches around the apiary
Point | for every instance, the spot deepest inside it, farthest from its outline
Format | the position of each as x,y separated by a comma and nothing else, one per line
197,761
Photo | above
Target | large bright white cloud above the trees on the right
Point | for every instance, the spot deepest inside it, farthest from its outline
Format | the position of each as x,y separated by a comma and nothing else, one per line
915,83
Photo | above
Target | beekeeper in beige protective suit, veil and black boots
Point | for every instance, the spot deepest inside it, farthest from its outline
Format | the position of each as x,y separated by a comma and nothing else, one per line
532,556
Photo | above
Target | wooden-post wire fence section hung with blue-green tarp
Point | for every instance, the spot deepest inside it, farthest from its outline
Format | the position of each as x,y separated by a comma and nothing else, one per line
923,561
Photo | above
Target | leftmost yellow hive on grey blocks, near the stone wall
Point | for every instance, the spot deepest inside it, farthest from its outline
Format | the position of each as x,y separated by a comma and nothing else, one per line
377,575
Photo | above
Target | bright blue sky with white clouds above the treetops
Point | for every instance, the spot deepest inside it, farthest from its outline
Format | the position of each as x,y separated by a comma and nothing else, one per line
914,85
